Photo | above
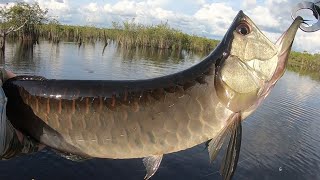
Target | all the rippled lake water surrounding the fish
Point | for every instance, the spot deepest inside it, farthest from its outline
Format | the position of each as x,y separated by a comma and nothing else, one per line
281,140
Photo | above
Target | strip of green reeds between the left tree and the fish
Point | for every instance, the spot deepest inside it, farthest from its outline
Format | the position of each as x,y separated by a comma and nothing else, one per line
129,35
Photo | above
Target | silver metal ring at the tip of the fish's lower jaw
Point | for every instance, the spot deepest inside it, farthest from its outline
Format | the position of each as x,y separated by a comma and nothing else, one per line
315,8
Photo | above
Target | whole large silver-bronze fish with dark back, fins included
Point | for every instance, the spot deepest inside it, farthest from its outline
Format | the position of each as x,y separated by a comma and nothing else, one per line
151,117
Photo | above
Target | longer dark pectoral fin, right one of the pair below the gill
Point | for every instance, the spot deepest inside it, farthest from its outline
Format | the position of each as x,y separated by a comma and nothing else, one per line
230,160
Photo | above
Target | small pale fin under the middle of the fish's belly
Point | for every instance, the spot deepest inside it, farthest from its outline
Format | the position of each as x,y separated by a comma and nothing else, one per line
151,163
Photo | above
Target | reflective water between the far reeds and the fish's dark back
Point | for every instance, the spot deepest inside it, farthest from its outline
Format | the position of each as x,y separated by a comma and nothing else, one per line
66,61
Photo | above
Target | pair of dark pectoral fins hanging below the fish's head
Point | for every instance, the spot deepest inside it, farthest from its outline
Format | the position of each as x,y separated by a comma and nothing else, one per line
230,160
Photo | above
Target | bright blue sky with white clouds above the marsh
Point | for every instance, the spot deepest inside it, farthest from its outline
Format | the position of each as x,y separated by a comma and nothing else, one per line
208,18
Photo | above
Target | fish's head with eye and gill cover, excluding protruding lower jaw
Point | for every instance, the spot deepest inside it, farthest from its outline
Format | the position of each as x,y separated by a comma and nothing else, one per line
243,71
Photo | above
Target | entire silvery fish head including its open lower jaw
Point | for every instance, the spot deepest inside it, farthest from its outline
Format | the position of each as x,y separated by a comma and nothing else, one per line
252,64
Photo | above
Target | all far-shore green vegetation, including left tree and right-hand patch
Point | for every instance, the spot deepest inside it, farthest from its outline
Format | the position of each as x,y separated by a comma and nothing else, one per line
28,22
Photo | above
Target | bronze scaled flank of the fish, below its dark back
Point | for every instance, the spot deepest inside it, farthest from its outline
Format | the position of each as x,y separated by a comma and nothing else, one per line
161,125
